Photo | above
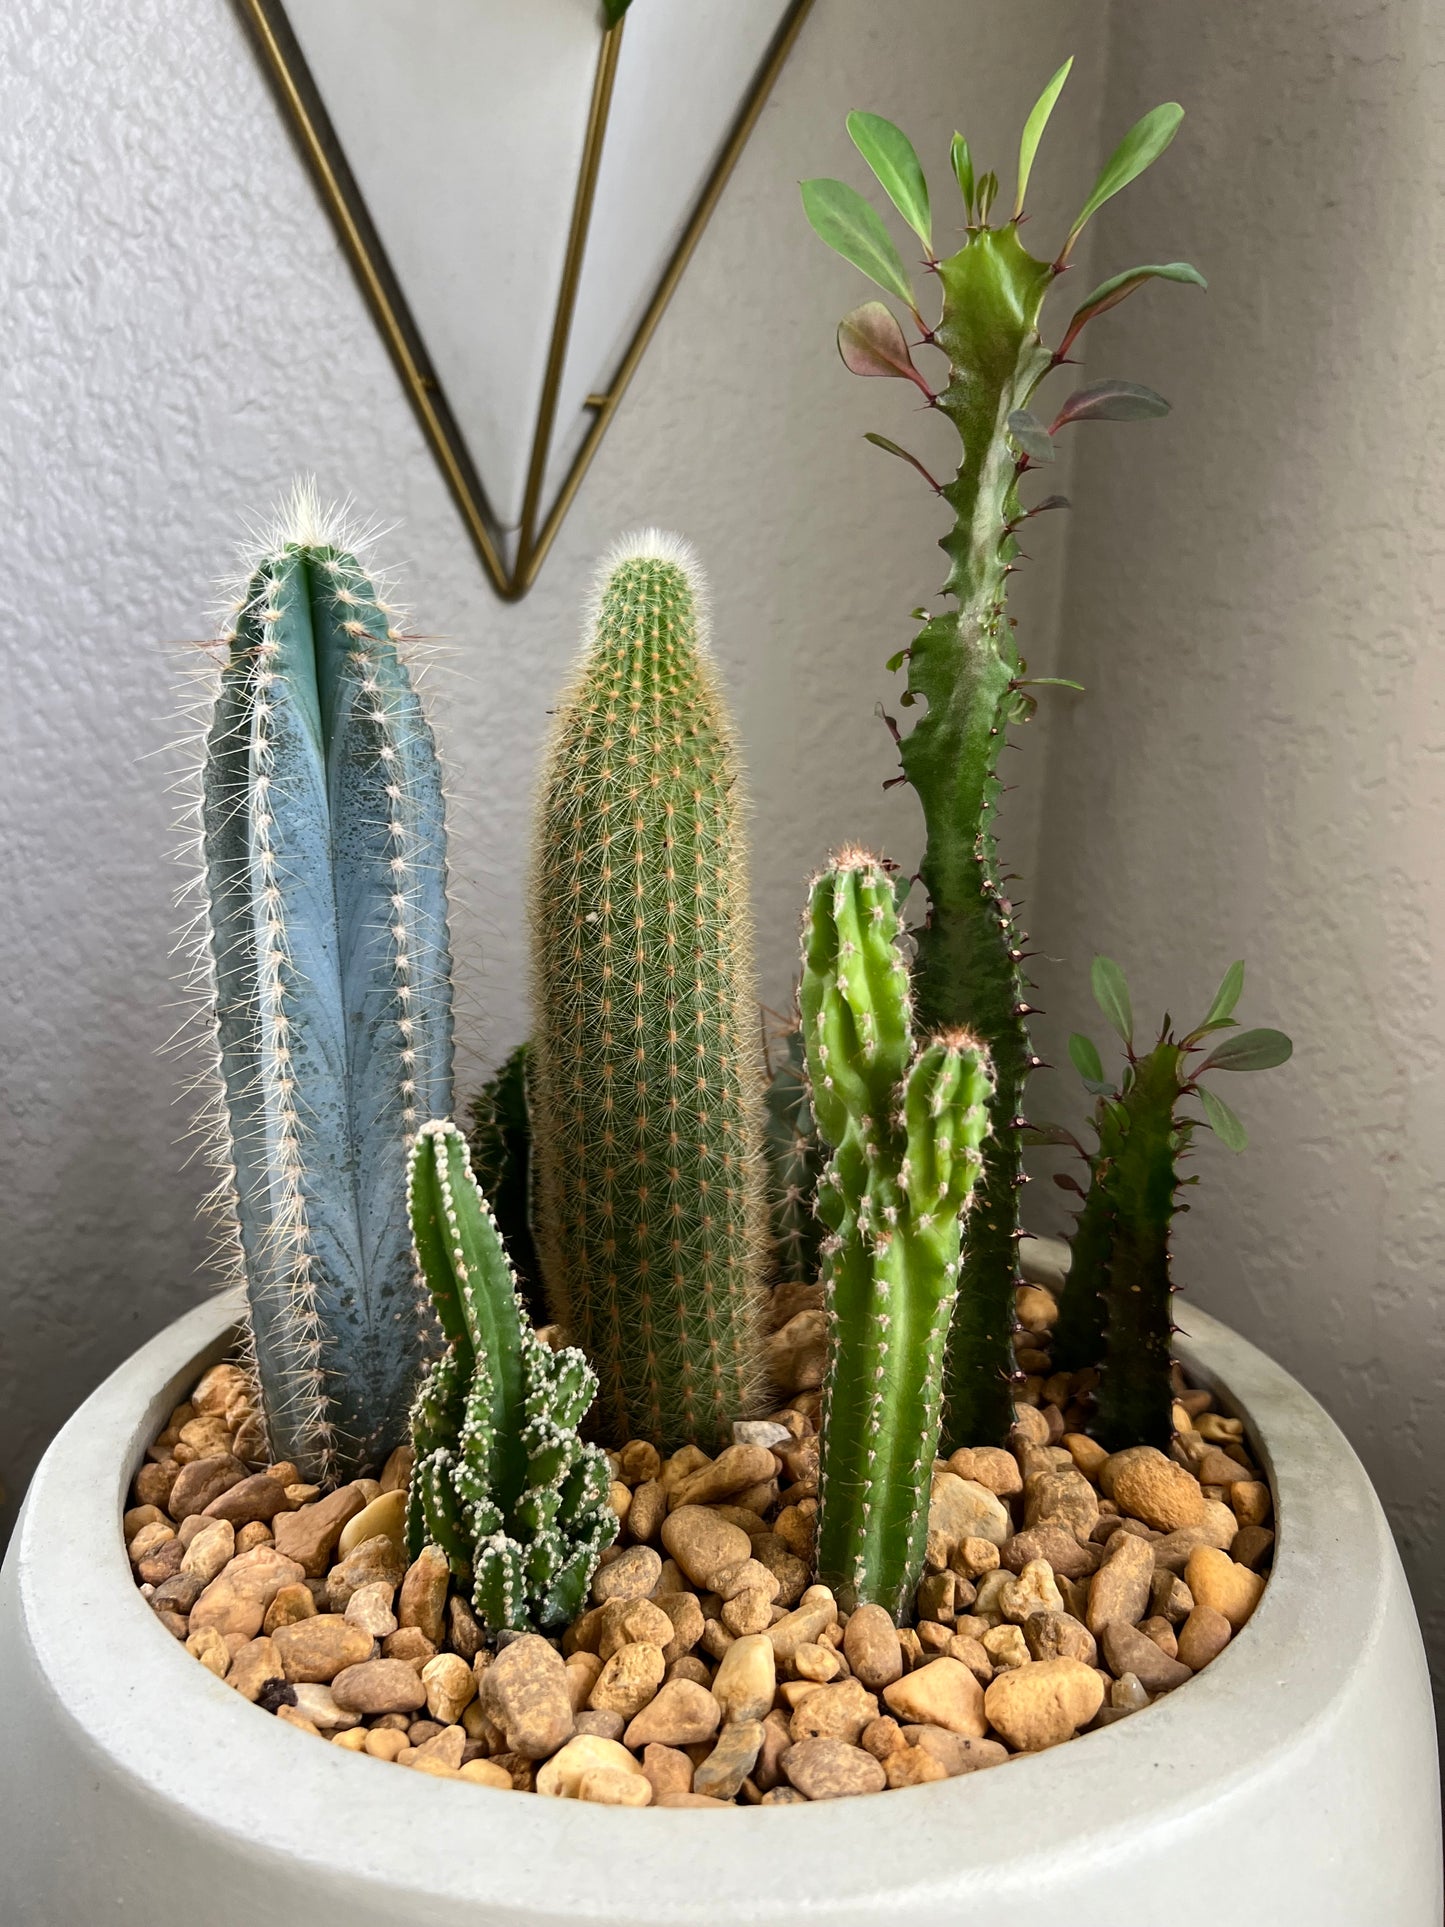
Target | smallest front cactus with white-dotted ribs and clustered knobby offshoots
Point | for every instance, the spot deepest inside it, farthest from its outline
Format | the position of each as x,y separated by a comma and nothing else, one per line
502,1481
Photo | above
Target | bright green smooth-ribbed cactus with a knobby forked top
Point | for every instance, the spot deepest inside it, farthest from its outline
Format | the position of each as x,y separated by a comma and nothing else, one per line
906,1122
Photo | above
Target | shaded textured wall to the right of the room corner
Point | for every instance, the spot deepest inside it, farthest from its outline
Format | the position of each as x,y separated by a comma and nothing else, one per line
1255,600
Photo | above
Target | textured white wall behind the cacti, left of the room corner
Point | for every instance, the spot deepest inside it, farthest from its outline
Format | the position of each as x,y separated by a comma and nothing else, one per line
182,338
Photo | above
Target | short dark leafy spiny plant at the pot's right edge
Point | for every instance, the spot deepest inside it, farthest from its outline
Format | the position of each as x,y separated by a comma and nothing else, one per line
1136,1192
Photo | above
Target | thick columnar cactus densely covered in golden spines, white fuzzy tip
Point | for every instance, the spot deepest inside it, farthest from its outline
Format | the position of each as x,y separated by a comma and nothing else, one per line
646,1126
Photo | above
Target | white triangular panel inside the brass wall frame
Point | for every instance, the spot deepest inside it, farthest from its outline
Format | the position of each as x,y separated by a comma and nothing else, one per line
463,124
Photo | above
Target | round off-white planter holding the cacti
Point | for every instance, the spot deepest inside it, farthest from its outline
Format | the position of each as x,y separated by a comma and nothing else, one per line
1292,1783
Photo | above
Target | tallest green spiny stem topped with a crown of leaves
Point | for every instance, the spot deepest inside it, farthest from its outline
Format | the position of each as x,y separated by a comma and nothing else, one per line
964,668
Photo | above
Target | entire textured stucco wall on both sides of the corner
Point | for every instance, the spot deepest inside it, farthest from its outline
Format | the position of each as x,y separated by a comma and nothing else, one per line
1248,591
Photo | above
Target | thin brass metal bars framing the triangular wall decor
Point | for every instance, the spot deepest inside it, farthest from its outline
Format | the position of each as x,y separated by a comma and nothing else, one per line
359,238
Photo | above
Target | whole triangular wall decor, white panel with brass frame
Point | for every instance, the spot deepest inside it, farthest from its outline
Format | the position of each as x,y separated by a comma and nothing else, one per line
519,190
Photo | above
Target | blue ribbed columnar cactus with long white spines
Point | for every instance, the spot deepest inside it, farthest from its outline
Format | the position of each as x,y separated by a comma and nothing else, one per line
330,972
